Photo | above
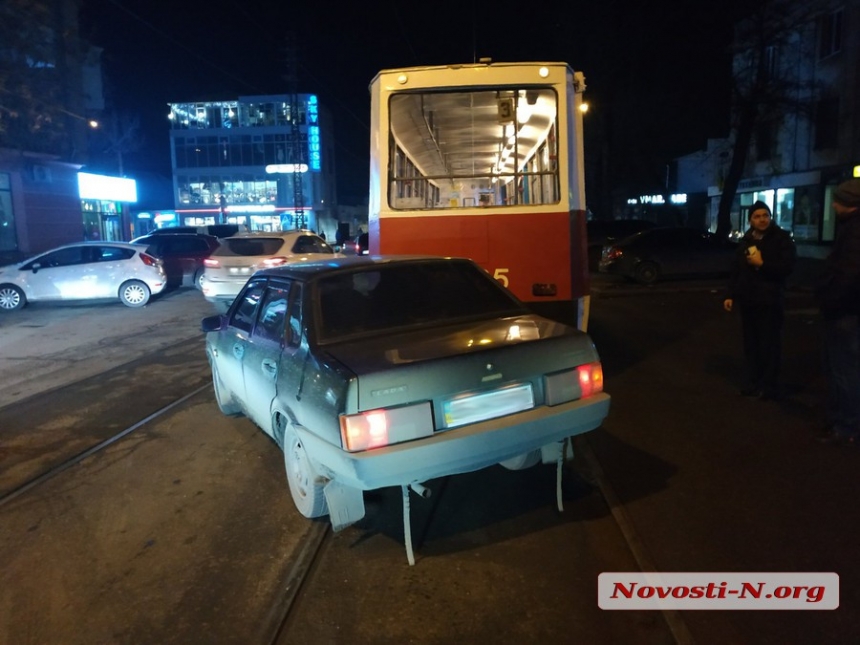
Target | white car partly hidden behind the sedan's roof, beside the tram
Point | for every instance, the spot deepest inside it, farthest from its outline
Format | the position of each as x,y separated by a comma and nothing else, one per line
238,257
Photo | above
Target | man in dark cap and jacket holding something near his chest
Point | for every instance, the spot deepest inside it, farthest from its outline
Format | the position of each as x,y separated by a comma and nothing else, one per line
765,258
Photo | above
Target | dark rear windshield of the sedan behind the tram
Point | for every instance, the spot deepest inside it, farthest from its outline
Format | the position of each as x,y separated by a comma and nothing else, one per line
384,298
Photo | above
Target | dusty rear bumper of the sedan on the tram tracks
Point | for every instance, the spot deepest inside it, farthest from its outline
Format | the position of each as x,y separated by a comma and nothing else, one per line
455,451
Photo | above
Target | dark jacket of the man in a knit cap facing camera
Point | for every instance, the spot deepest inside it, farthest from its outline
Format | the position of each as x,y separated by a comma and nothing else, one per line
763,286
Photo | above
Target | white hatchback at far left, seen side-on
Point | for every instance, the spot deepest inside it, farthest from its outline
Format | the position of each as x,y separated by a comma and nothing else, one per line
83,271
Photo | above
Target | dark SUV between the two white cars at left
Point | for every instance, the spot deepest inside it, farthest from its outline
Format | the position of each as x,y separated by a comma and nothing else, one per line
182,255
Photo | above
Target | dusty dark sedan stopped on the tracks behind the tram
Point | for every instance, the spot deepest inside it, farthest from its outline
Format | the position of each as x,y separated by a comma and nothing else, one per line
372,372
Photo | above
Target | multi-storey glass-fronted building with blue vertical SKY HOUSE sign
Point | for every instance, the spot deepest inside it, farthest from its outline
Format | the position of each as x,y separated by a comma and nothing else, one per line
258,161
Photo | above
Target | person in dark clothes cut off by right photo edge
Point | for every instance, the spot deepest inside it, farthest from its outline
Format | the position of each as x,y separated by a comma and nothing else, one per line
838,295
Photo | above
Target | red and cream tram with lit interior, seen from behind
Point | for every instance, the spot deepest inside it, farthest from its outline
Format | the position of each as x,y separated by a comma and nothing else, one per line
485,161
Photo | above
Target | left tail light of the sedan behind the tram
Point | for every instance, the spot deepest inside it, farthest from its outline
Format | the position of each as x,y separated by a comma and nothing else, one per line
385,426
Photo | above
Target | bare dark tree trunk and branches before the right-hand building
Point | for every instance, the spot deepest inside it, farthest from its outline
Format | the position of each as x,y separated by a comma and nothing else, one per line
769,48
